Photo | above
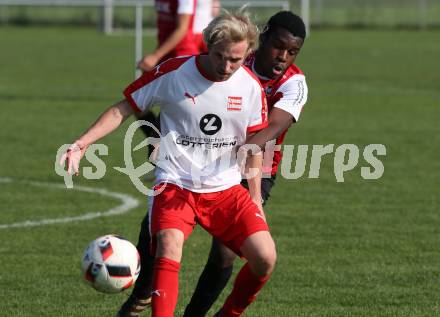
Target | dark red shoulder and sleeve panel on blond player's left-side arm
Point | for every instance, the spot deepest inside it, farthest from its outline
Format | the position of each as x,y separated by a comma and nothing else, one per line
147,77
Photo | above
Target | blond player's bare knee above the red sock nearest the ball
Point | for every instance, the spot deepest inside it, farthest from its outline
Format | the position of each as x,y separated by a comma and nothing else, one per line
170,244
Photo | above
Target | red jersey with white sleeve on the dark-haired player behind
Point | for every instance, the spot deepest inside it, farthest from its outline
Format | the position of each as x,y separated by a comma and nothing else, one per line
289,92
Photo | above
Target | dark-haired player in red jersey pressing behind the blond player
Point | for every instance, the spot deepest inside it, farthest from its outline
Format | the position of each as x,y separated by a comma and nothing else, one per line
286,92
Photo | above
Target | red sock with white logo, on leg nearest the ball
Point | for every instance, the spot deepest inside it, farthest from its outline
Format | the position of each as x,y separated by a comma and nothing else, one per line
165,287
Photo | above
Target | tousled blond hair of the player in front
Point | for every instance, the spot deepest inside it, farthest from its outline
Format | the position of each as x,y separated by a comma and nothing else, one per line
231,28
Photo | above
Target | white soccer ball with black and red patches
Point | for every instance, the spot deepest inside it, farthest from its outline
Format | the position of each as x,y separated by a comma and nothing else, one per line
110,264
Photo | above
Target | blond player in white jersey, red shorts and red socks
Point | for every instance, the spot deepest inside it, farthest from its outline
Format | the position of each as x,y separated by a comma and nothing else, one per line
209,104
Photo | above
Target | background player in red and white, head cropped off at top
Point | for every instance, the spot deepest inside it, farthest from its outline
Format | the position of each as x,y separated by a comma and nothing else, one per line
175,37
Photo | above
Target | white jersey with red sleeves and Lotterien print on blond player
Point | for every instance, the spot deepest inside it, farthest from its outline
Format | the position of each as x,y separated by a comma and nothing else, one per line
202,122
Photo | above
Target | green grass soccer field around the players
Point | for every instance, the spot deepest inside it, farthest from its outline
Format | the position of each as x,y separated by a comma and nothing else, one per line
358,248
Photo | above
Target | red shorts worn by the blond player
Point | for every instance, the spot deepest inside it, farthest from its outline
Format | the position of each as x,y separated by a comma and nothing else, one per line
229,215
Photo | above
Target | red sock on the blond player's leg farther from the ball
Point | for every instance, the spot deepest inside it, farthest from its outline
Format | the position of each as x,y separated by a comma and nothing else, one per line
246,287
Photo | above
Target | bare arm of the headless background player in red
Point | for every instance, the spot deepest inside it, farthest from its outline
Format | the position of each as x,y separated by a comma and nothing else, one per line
149,61
